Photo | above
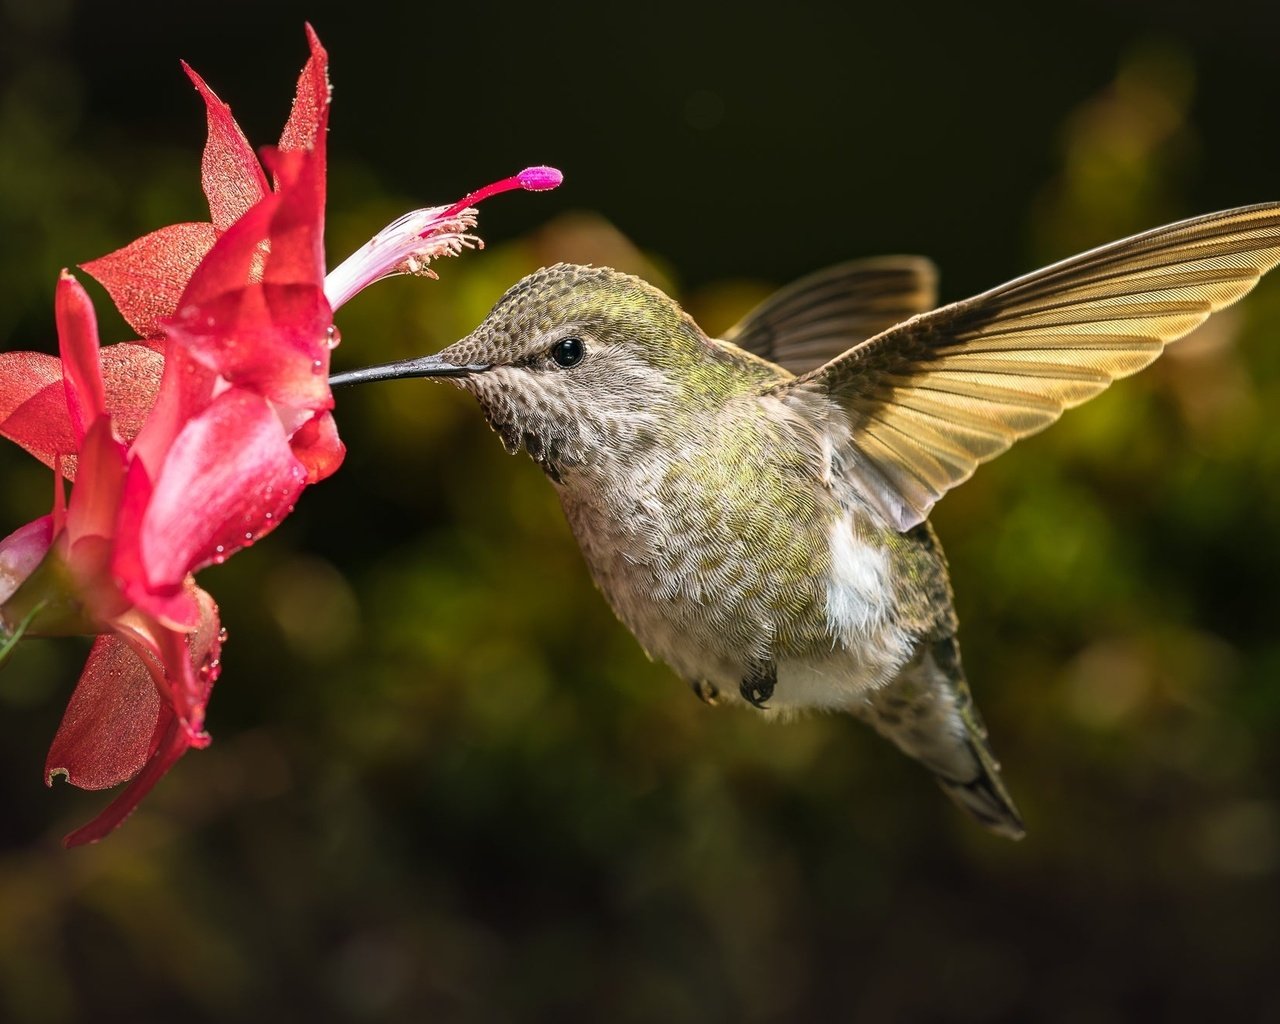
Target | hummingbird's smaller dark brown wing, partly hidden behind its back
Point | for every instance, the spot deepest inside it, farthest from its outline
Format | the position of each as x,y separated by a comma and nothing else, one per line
825,314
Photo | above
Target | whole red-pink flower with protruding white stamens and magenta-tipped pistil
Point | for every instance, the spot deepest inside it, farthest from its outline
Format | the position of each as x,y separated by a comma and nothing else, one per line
193,444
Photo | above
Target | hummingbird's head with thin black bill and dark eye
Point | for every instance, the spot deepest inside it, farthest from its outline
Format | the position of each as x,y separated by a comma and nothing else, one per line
579,367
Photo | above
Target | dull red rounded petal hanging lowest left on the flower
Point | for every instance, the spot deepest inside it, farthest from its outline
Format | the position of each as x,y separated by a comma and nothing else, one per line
111,721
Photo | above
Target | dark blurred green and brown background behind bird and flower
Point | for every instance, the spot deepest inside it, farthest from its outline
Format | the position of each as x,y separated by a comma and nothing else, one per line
446,787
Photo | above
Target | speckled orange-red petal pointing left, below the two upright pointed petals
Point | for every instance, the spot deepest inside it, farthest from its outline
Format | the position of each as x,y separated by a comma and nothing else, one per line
147,278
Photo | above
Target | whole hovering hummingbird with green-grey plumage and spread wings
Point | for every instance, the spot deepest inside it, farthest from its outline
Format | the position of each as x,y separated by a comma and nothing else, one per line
756,508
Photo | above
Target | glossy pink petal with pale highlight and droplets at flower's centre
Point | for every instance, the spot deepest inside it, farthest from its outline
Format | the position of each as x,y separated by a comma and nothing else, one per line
228,479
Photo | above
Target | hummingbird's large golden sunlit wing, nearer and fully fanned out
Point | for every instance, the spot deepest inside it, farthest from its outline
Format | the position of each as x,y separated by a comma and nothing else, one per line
932,399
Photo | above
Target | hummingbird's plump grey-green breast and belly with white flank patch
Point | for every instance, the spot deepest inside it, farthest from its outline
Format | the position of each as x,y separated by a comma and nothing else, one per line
723,557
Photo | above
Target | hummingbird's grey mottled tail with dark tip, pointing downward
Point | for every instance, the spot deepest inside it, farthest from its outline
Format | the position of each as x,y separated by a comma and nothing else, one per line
929,715
